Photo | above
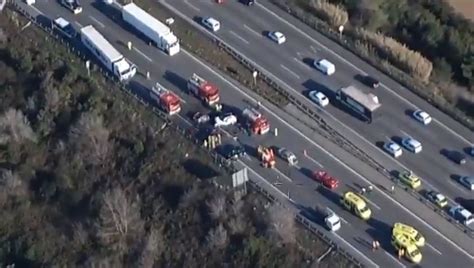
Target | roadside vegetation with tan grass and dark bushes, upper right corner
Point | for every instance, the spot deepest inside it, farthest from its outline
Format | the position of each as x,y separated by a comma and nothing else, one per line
425,39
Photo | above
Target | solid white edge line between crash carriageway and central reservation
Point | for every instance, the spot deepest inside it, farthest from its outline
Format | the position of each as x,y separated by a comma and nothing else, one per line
331,155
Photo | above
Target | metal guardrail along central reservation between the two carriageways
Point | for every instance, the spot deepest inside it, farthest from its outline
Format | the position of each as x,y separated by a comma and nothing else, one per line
334,136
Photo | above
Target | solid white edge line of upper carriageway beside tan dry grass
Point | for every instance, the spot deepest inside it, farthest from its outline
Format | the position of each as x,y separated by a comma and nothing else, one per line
358,69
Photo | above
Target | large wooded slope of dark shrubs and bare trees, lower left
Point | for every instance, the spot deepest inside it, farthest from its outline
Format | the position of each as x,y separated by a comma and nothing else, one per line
91,178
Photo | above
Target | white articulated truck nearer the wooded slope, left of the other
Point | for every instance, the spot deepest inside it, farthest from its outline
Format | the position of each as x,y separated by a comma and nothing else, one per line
115,62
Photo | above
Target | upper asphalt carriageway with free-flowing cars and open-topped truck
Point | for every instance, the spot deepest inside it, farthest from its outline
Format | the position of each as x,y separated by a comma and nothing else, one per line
244,28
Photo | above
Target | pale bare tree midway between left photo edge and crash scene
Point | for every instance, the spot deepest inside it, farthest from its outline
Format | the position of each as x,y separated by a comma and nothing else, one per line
91,138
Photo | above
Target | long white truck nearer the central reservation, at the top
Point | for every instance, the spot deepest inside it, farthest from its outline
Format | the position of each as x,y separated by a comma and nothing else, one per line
159,34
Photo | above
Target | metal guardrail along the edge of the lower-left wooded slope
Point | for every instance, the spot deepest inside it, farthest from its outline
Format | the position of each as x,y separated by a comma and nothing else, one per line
219,160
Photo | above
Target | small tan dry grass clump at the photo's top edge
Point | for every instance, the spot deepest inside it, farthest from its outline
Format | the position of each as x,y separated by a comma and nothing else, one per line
334,14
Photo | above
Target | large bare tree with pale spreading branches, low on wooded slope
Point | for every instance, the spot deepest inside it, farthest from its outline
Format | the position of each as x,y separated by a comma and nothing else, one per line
119,219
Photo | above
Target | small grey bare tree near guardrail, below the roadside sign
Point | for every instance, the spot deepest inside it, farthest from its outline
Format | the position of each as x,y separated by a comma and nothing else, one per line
283,223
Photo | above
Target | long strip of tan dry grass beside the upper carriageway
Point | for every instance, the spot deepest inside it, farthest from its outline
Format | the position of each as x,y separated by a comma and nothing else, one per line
410,61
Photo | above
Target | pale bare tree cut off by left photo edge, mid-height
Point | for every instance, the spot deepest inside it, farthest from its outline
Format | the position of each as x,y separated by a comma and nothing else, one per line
15,128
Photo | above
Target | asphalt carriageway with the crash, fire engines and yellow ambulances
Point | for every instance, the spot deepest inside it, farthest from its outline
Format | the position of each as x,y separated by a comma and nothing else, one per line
355,235
